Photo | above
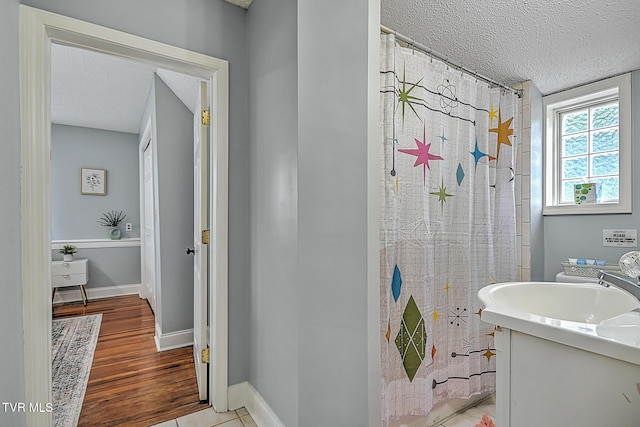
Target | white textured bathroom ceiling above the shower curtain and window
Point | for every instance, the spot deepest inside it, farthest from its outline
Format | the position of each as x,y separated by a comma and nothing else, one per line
557,44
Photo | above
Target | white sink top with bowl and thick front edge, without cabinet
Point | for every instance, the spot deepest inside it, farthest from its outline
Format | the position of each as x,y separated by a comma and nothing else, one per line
583,315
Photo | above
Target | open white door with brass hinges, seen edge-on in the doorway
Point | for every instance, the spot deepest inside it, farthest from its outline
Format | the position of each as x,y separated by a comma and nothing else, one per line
200,296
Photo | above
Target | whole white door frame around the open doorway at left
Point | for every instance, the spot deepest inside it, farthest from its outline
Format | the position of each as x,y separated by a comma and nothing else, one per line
38,29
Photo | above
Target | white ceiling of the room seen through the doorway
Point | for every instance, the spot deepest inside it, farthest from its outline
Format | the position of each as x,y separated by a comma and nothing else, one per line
95,90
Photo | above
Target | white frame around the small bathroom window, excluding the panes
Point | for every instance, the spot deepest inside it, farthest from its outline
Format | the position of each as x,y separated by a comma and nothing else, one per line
556,103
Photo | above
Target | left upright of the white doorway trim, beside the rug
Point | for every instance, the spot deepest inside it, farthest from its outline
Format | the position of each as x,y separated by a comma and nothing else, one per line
35,119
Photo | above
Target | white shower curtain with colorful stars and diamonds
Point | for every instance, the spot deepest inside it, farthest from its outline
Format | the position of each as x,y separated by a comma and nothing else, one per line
448,227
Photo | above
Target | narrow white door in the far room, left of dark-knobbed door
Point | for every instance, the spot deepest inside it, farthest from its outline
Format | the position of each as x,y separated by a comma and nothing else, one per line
149,263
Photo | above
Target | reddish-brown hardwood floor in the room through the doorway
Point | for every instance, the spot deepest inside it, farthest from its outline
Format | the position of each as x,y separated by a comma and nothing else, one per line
131,384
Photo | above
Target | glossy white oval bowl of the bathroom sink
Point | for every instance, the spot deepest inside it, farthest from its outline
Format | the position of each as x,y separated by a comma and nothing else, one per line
576,302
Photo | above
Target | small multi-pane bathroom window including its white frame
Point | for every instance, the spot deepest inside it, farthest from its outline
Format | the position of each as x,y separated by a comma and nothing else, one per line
588,140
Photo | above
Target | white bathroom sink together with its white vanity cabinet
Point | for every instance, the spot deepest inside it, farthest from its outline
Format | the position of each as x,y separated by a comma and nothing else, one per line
559,345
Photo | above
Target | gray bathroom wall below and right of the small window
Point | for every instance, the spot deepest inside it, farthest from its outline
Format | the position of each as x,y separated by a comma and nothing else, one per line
581,235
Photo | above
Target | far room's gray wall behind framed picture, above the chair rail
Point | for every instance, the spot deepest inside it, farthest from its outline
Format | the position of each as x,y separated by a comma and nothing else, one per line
74,215
